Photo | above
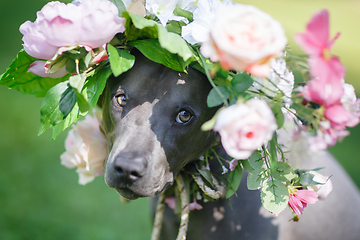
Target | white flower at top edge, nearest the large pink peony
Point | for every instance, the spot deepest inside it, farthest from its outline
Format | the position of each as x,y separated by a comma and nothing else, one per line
164,9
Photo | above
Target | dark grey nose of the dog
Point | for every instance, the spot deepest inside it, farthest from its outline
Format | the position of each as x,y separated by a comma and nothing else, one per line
130,167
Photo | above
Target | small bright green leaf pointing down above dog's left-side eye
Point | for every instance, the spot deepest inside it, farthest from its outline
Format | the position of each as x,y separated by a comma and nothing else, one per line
120,60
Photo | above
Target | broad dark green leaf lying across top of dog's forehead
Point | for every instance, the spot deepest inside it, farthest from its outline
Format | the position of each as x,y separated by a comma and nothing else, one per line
151,49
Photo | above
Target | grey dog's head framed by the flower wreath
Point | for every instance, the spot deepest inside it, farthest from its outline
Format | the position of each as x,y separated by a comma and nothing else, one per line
152,118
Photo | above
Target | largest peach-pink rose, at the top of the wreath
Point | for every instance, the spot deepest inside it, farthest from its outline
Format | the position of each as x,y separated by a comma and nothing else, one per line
244,38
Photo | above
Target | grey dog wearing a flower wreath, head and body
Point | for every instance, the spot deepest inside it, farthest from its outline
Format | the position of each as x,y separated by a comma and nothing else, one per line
152,116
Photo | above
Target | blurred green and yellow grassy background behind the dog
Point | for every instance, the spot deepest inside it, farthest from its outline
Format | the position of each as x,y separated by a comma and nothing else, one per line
40,199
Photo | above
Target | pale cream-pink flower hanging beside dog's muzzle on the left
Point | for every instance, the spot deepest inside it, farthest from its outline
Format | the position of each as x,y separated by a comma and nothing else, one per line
86,149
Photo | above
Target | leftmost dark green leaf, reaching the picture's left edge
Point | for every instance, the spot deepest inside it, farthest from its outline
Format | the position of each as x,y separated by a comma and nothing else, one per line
17,77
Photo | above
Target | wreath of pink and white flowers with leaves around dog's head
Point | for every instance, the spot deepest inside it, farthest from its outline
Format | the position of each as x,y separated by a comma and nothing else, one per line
71,50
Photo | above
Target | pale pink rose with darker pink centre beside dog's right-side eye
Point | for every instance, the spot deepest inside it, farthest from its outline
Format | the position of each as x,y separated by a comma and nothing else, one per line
245,127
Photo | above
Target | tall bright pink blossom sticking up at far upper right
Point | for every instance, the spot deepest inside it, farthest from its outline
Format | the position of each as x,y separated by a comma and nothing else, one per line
327,71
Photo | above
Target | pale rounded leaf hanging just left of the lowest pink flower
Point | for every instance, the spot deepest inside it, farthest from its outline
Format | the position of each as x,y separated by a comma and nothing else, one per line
274,196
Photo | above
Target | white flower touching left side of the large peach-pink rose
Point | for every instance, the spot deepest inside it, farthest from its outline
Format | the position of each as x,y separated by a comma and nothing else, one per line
198,31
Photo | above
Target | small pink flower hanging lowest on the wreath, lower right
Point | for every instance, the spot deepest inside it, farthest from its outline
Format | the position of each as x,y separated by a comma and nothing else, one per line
298,199
